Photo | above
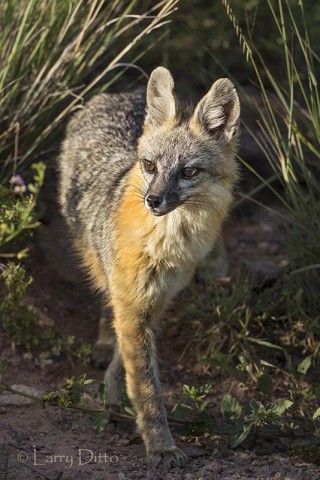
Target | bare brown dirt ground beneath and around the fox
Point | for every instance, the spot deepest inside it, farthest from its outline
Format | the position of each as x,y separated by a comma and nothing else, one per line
51,443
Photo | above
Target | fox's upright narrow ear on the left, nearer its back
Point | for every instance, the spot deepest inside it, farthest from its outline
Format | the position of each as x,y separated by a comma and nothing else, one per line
161,105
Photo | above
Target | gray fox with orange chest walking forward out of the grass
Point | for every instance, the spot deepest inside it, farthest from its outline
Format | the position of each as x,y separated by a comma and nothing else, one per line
144,187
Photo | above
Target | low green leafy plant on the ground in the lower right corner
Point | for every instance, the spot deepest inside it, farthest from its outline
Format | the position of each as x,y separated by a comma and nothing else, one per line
294,415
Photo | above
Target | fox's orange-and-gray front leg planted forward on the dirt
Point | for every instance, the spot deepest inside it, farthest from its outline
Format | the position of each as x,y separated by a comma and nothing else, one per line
137,347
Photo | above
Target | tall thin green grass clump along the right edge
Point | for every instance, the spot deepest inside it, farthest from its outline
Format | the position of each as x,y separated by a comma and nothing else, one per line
289,135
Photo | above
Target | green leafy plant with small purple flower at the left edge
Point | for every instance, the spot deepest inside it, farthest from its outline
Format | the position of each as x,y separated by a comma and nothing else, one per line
18,218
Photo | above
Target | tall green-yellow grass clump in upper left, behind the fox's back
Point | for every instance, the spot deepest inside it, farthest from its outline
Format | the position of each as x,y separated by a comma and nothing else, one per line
53,54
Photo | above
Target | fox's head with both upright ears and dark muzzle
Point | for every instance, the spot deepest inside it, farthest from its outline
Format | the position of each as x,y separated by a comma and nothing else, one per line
188,158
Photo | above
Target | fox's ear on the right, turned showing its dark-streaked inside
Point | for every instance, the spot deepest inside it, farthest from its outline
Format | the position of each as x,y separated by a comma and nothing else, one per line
218,112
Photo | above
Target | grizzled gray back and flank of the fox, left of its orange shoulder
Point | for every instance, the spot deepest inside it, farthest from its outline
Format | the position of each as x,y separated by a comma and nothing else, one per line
97,153
